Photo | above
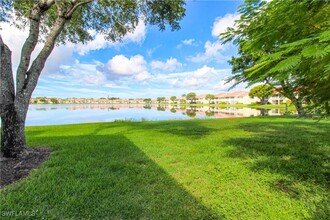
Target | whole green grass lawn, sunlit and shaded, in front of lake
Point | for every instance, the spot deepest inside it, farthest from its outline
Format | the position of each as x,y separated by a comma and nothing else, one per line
246,168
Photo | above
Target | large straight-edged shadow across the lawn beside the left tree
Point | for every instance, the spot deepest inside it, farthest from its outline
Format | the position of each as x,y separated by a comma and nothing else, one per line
98,177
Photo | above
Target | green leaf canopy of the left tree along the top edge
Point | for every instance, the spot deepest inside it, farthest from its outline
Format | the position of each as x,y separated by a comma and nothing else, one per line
112,18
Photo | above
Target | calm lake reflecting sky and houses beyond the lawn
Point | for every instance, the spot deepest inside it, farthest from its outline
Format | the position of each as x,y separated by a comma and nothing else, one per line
55,114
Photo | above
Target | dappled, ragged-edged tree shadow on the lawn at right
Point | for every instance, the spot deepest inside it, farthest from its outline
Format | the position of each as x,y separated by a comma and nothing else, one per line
297,150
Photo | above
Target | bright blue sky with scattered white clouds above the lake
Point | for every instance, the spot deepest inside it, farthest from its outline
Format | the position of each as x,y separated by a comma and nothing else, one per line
147,63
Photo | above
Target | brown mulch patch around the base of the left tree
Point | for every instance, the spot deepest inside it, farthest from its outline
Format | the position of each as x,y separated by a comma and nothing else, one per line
14,169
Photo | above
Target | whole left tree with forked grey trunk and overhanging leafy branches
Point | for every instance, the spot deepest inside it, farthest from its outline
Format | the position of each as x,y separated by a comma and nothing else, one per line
60,21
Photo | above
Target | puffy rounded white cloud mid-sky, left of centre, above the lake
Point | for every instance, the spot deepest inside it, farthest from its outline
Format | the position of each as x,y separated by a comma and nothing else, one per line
121,65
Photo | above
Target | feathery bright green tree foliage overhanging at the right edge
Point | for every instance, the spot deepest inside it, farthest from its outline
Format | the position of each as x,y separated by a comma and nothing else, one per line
284,43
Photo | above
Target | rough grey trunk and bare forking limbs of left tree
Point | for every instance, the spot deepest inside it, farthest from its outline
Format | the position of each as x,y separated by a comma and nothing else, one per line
13,108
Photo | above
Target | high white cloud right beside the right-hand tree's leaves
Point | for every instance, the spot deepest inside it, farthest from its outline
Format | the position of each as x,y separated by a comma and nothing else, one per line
221,24
